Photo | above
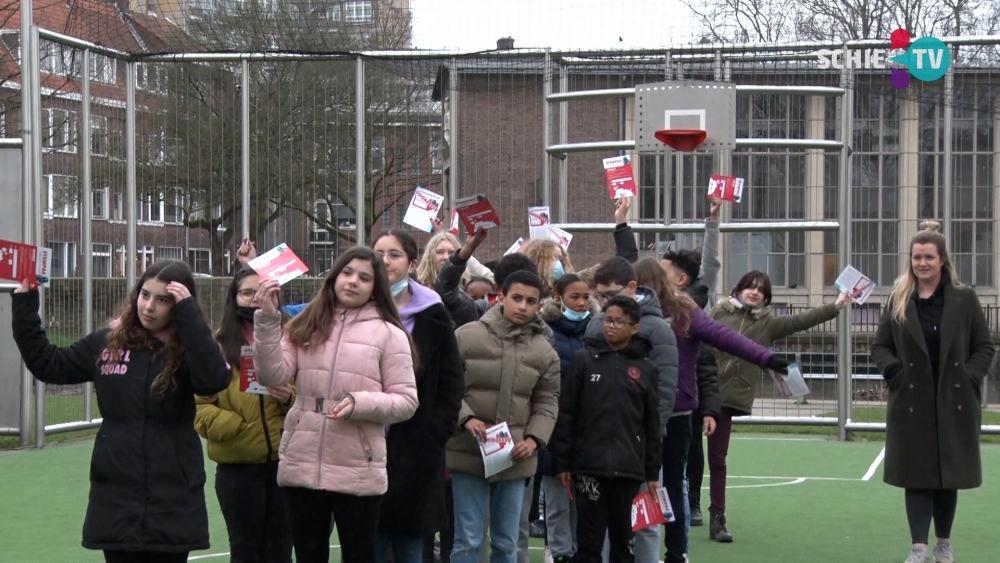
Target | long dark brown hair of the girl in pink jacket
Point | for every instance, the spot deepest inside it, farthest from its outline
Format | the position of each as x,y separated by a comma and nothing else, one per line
312,326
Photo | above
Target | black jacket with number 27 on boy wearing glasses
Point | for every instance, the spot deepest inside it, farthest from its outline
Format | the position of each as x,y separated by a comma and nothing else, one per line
608,421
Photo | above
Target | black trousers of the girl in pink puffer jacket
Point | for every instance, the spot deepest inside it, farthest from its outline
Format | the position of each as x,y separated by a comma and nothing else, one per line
312,514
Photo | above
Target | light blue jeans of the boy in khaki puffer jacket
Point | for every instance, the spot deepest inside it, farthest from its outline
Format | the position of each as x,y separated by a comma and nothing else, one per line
505,499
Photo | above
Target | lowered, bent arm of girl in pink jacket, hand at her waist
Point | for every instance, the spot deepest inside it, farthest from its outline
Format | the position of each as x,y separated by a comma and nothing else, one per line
398,399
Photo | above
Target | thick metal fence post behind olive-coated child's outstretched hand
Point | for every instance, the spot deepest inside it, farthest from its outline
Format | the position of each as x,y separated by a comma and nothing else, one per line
845,366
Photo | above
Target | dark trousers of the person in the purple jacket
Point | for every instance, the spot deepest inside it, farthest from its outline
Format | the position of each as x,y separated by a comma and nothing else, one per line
675,449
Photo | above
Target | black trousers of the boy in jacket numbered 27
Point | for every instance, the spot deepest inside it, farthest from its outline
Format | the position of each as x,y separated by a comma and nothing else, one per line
604,505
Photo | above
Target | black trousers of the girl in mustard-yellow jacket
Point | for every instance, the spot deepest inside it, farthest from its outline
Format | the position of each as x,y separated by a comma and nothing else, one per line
255,512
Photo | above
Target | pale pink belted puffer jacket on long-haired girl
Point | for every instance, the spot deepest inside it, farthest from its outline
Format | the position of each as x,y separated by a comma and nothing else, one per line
365,357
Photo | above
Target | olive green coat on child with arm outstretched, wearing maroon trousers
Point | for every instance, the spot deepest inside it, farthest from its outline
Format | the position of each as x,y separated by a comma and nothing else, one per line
738,378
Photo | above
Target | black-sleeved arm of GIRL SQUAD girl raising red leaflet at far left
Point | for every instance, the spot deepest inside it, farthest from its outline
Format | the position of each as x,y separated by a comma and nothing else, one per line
76,363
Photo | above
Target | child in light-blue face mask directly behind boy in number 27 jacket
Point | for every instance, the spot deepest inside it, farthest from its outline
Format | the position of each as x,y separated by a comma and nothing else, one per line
568,315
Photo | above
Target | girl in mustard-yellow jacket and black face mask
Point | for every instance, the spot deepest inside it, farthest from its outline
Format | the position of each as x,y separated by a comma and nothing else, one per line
243,429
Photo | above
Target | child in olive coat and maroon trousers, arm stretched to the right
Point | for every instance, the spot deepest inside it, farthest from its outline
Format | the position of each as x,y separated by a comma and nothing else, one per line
748,312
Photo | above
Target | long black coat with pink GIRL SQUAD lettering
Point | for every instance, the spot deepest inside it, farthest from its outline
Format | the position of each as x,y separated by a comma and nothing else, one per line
147,473
